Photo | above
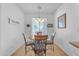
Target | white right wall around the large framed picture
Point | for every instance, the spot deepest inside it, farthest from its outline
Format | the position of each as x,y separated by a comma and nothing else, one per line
71,33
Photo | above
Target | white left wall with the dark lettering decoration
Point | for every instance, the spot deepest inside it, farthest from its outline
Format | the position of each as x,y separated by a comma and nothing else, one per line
11,37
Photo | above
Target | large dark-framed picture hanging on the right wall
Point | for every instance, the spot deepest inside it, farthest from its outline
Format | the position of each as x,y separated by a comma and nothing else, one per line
62,21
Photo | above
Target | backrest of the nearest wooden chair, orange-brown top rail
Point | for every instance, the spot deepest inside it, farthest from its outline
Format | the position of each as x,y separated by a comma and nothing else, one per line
40,41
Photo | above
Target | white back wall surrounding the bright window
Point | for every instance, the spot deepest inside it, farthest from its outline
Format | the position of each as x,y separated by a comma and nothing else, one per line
28,20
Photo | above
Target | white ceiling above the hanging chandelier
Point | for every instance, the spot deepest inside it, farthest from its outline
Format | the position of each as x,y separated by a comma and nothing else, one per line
38,7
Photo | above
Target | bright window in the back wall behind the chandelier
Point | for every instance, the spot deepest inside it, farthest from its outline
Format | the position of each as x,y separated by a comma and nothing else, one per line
39,25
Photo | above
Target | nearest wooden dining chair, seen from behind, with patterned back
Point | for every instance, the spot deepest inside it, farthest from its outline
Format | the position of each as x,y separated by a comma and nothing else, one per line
40,45
